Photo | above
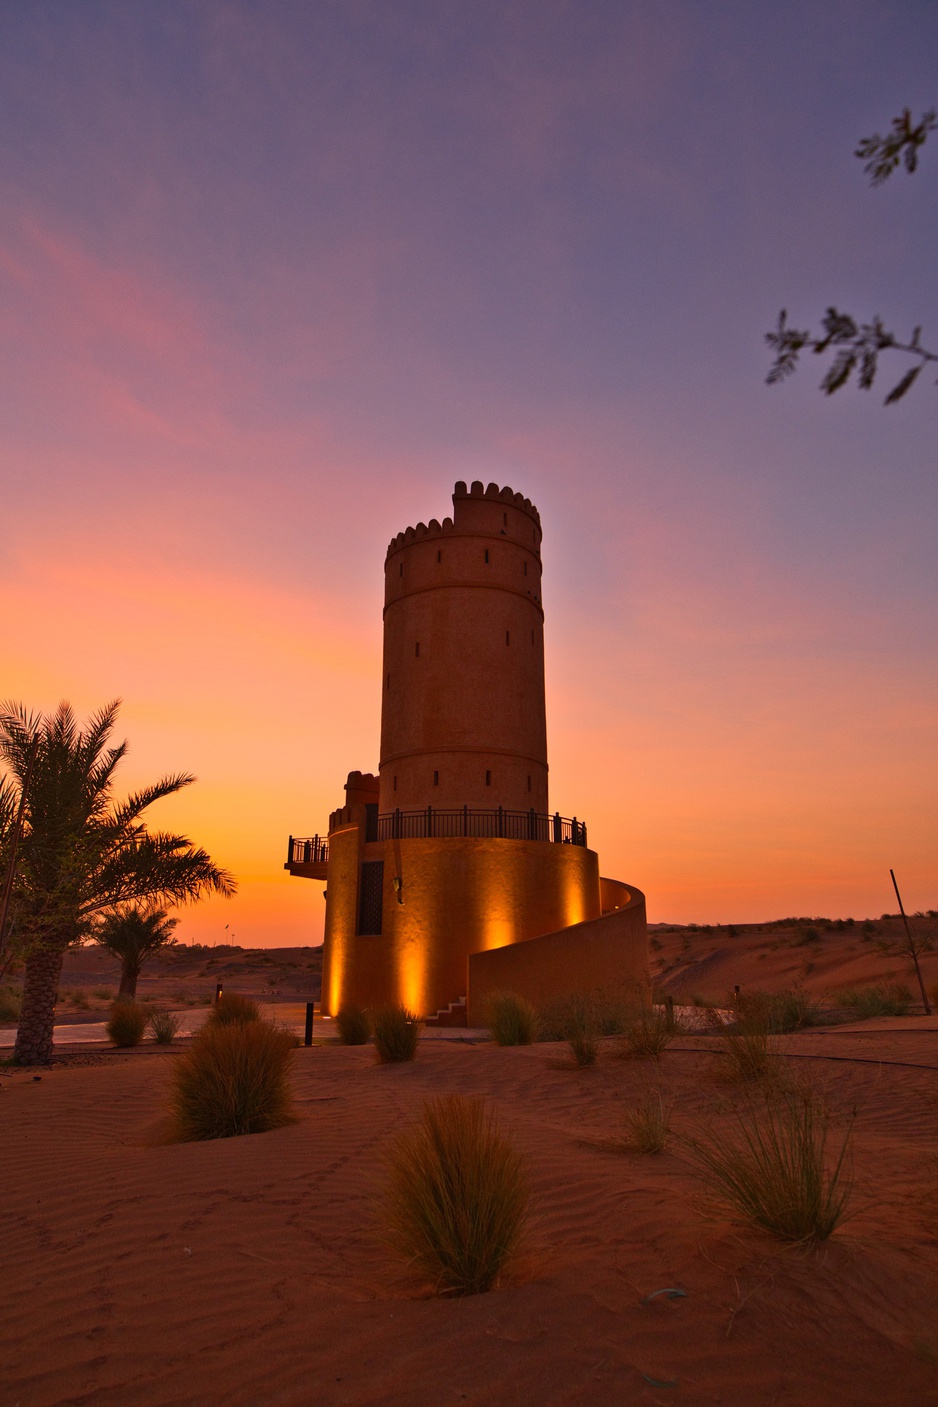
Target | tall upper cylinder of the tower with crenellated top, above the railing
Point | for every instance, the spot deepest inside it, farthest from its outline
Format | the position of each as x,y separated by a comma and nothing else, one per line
463,718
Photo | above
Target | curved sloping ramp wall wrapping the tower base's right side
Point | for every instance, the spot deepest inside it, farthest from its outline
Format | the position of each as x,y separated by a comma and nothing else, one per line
608,955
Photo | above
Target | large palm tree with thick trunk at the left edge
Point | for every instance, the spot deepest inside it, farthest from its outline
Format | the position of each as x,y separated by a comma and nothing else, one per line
82,853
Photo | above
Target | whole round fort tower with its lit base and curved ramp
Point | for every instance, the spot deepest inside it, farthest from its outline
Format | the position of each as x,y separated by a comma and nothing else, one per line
446,874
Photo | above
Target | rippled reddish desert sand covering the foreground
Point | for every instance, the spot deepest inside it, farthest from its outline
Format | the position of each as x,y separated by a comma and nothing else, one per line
251,1271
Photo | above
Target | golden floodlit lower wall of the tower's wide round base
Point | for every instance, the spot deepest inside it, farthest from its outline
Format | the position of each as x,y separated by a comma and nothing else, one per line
461,897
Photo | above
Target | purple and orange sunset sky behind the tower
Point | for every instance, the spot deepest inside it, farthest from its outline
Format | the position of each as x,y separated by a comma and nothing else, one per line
275,276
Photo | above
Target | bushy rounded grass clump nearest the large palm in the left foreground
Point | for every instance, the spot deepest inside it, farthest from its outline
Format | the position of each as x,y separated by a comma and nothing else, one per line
233,1080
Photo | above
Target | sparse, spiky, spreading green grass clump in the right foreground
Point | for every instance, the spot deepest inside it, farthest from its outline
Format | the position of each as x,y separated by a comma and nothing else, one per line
777,1173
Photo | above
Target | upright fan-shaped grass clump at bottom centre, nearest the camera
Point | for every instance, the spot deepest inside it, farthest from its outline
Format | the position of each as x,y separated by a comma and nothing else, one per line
456,1199
